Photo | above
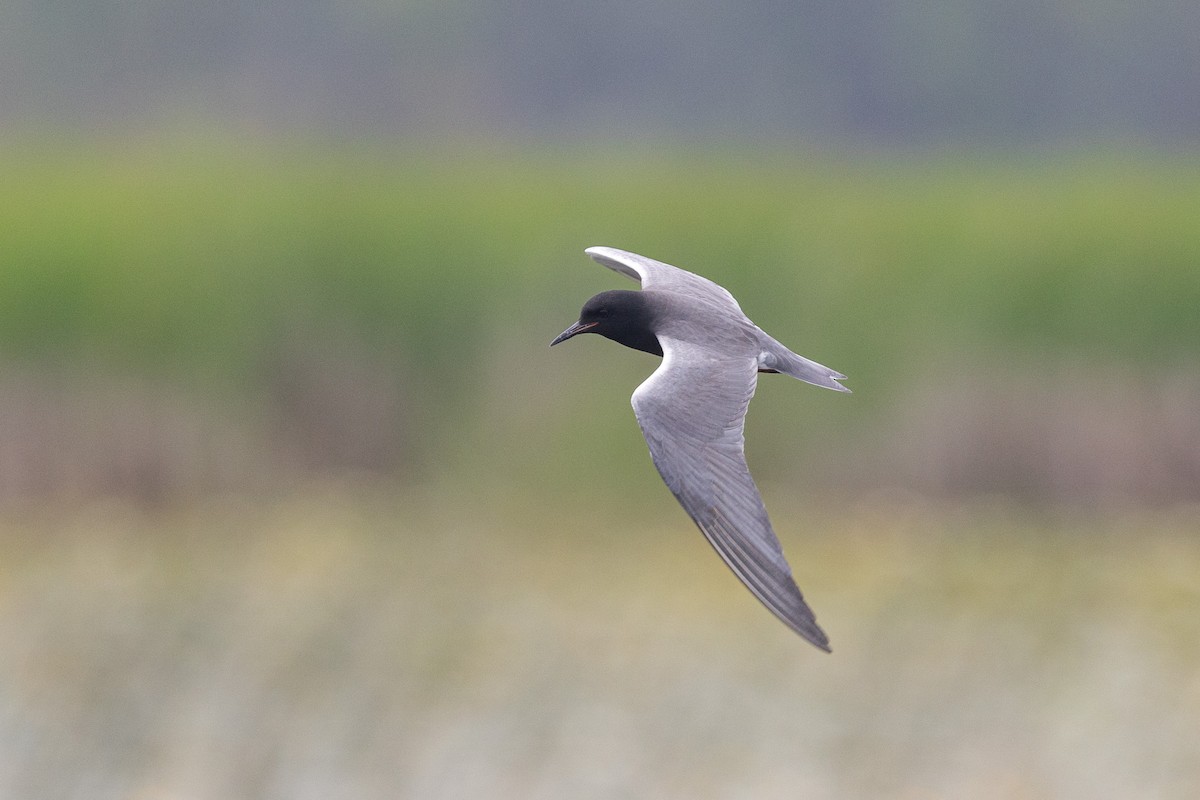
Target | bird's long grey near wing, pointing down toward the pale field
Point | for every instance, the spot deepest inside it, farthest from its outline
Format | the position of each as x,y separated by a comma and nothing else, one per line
693,413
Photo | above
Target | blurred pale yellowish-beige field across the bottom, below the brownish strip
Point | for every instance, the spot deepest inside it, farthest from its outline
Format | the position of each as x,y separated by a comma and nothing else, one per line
347,645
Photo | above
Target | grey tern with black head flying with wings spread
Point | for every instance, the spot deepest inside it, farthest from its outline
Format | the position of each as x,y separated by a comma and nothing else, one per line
693,408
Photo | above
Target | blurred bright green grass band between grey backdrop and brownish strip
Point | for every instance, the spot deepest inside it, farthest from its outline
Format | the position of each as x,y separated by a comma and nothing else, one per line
200,255
